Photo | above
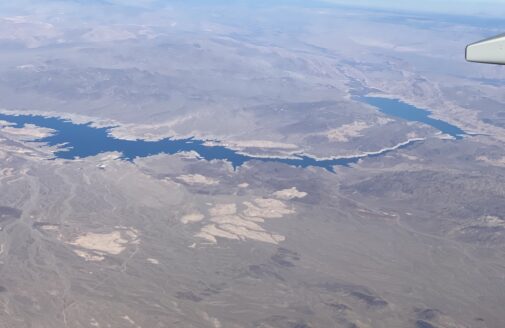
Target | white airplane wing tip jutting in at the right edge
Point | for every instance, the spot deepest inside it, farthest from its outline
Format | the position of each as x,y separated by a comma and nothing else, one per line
488,51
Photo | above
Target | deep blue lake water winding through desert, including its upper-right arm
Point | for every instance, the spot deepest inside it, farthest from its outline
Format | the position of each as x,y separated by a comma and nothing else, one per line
83,140
